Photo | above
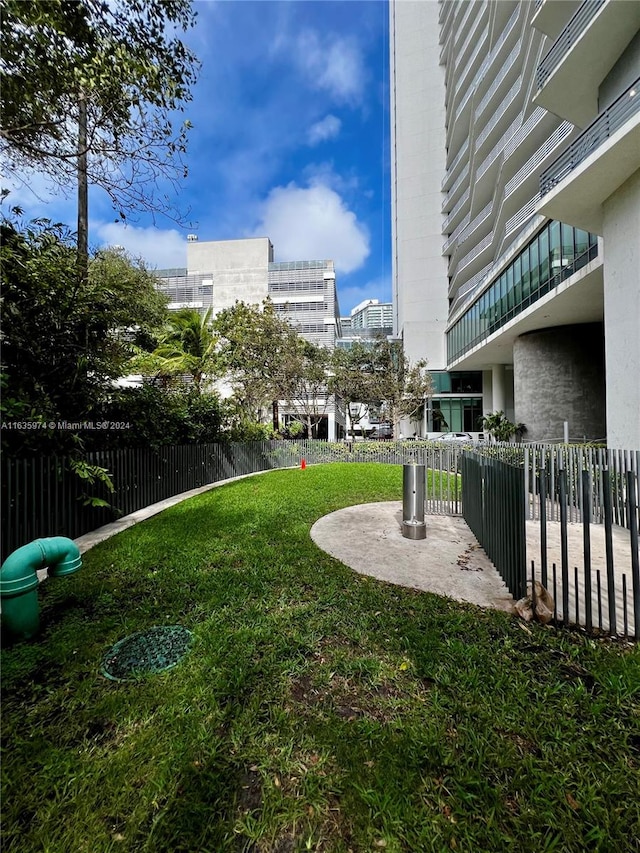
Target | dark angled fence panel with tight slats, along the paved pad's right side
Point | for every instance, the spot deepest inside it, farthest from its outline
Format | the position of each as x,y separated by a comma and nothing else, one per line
493,501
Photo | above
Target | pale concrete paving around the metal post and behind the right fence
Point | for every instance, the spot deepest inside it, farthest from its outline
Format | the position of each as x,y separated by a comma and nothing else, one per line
368,538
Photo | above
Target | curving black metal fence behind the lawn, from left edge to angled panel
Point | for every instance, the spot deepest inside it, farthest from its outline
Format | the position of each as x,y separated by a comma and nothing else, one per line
42,497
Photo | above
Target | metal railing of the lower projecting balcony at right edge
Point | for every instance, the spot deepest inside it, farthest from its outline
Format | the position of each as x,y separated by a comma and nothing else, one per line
620,111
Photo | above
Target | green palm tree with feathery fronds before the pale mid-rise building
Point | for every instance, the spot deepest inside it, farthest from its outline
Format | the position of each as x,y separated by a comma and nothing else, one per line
189,345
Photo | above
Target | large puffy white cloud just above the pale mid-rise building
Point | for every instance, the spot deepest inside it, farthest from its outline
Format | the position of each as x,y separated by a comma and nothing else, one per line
313,223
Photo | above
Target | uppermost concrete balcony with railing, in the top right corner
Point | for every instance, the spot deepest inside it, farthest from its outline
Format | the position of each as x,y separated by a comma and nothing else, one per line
570,74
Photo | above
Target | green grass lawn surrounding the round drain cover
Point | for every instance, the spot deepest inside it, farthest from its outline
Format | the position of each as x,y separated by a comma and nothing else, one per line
317,710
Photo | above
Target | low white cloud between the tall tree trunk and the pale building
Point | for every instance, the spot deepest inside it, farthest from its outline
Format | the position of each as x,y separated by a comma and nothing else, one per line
161,249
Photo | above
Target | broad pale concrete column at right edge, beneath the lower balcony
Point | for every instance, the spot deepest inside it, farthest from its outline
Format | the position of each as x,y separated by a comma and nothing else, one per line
621,230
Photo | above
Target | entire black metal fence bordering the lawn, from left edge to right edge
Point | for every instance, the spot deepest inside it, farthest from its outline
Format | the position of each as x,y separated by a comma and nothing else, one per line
502,490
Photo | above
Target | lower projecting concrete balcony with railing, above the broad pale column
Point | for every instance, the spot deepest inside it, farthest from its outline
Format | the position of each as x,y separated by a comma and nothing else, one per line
592,168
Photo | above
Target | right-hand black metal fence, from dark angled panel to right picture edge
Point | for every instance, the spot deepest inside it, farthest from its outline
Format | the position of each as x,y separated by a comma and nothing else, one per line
581,506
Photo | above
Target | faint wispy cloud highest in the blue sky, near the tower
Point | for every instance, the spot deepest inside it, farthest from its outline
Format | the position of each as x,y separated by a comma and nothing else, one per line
333,64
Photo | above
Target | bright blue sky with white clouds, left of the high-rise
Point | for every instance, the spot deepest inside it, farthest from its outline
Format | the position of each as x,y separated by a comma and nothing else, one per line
290,141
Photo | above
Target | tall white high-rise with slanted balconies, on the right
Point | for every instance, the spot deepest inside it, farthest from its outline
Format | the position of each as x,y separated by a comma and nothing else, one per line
516,166
